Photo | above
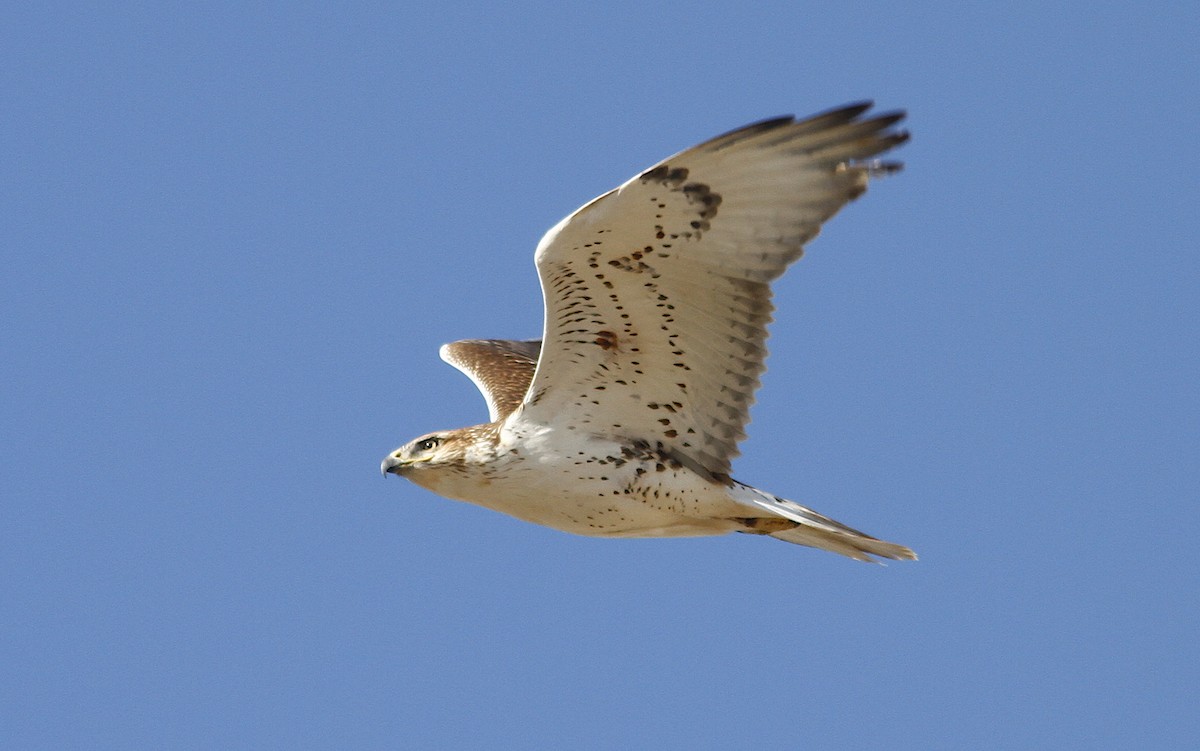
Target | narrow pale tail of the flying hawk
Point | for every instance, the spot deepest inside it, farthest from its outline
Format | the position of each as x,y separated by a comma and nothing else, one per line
807,527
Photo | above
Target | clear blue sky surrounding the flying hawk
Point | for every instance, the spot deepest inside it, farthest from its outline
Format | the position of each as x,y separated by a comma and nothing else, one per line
236,235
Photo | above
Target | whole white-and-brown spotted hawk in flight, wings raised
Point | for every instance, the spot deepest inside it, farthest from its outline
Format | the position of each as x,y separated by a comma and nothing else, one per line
623,420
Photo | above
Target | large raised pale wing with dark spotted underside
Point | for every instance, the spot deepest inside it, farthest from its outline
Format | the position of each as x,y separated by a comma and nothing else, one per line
658,293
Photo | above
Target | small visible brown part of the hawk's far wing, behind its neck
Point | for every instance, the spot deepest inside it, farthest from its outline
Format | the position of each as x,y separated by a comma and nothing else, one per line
501,369
